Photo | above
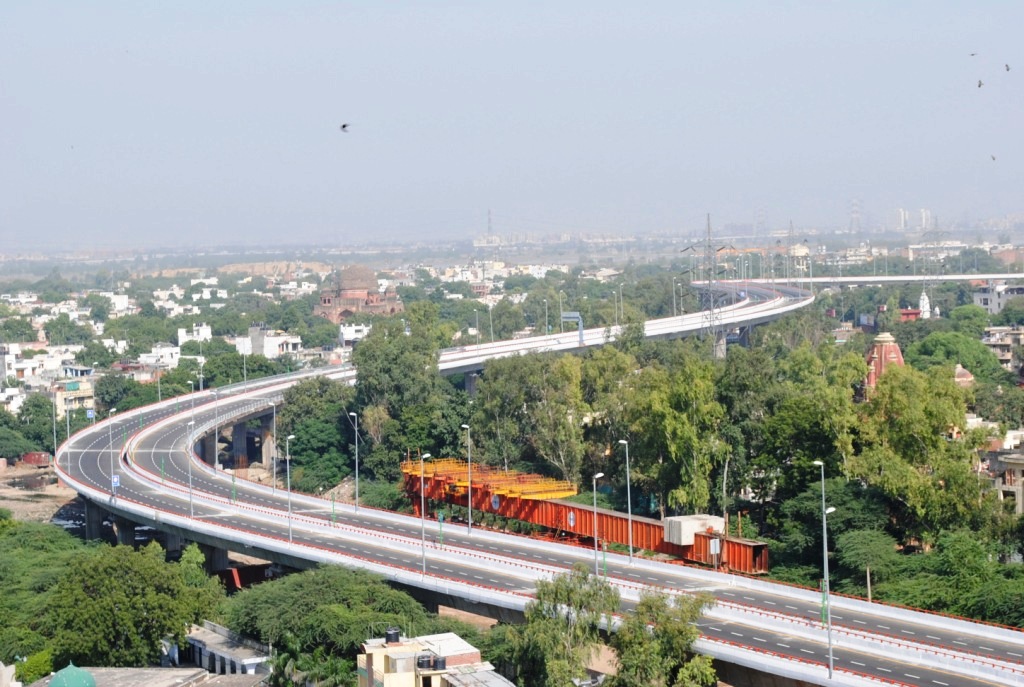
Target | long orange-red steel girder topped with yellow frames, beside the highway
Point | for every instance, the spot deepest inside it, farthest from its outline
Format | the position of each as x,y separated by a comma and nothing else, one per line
537,500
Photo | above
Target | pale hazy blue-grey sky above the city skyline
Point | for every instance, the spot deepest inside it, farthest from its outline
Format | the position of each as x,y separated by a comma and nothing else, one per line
200,123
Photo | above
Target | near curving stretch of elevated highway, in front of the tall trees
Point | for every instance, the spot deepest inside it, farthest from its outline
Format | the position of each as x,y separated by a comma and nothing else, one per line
151,455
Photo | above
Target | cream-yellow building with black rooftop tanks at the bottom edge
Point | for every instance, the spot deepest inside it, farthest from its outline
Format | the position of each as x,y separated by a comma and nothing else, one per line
432,661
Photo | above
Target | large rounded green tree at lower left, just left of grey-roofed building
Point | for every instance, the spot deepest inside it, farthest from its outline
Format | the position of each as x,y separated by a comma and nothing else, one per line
116,607
